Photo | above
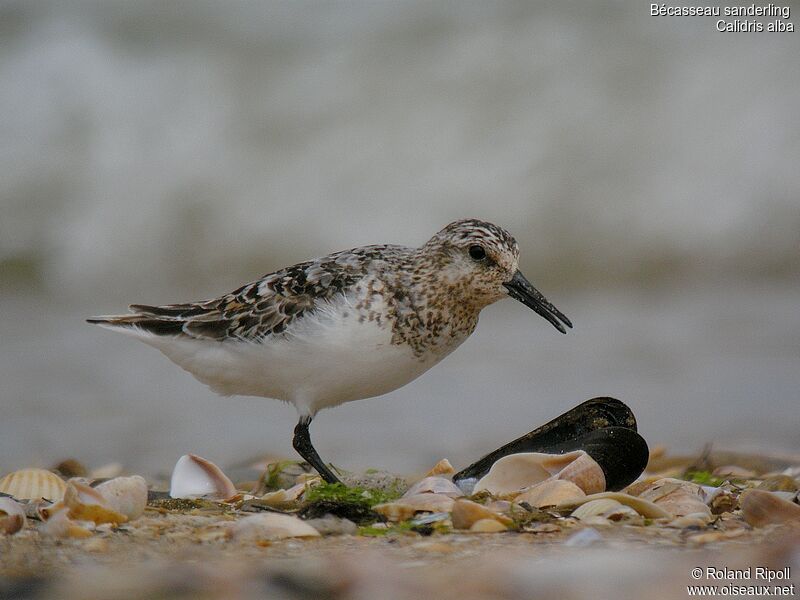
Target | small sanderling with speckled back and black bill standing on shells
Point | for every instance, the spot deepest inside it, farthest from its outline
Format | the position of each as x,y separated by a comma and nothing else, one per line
347,326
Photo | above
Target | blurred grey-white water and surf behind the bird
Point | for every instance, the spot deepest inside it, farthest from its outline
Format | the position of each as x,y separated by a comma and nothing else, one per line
161,152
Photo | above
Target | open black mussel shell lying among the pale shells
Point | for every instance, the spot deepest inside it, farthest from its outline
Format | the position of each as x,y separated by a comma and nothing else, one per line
603,427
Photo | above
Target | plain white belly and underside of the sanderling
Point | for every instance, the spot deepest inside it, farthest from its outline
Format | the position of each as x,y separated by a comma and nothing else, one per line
323,359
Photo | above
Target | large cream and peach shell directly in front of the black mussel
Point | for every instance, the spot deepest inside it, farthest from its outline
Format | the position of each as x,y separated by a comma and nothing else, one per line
516,472
